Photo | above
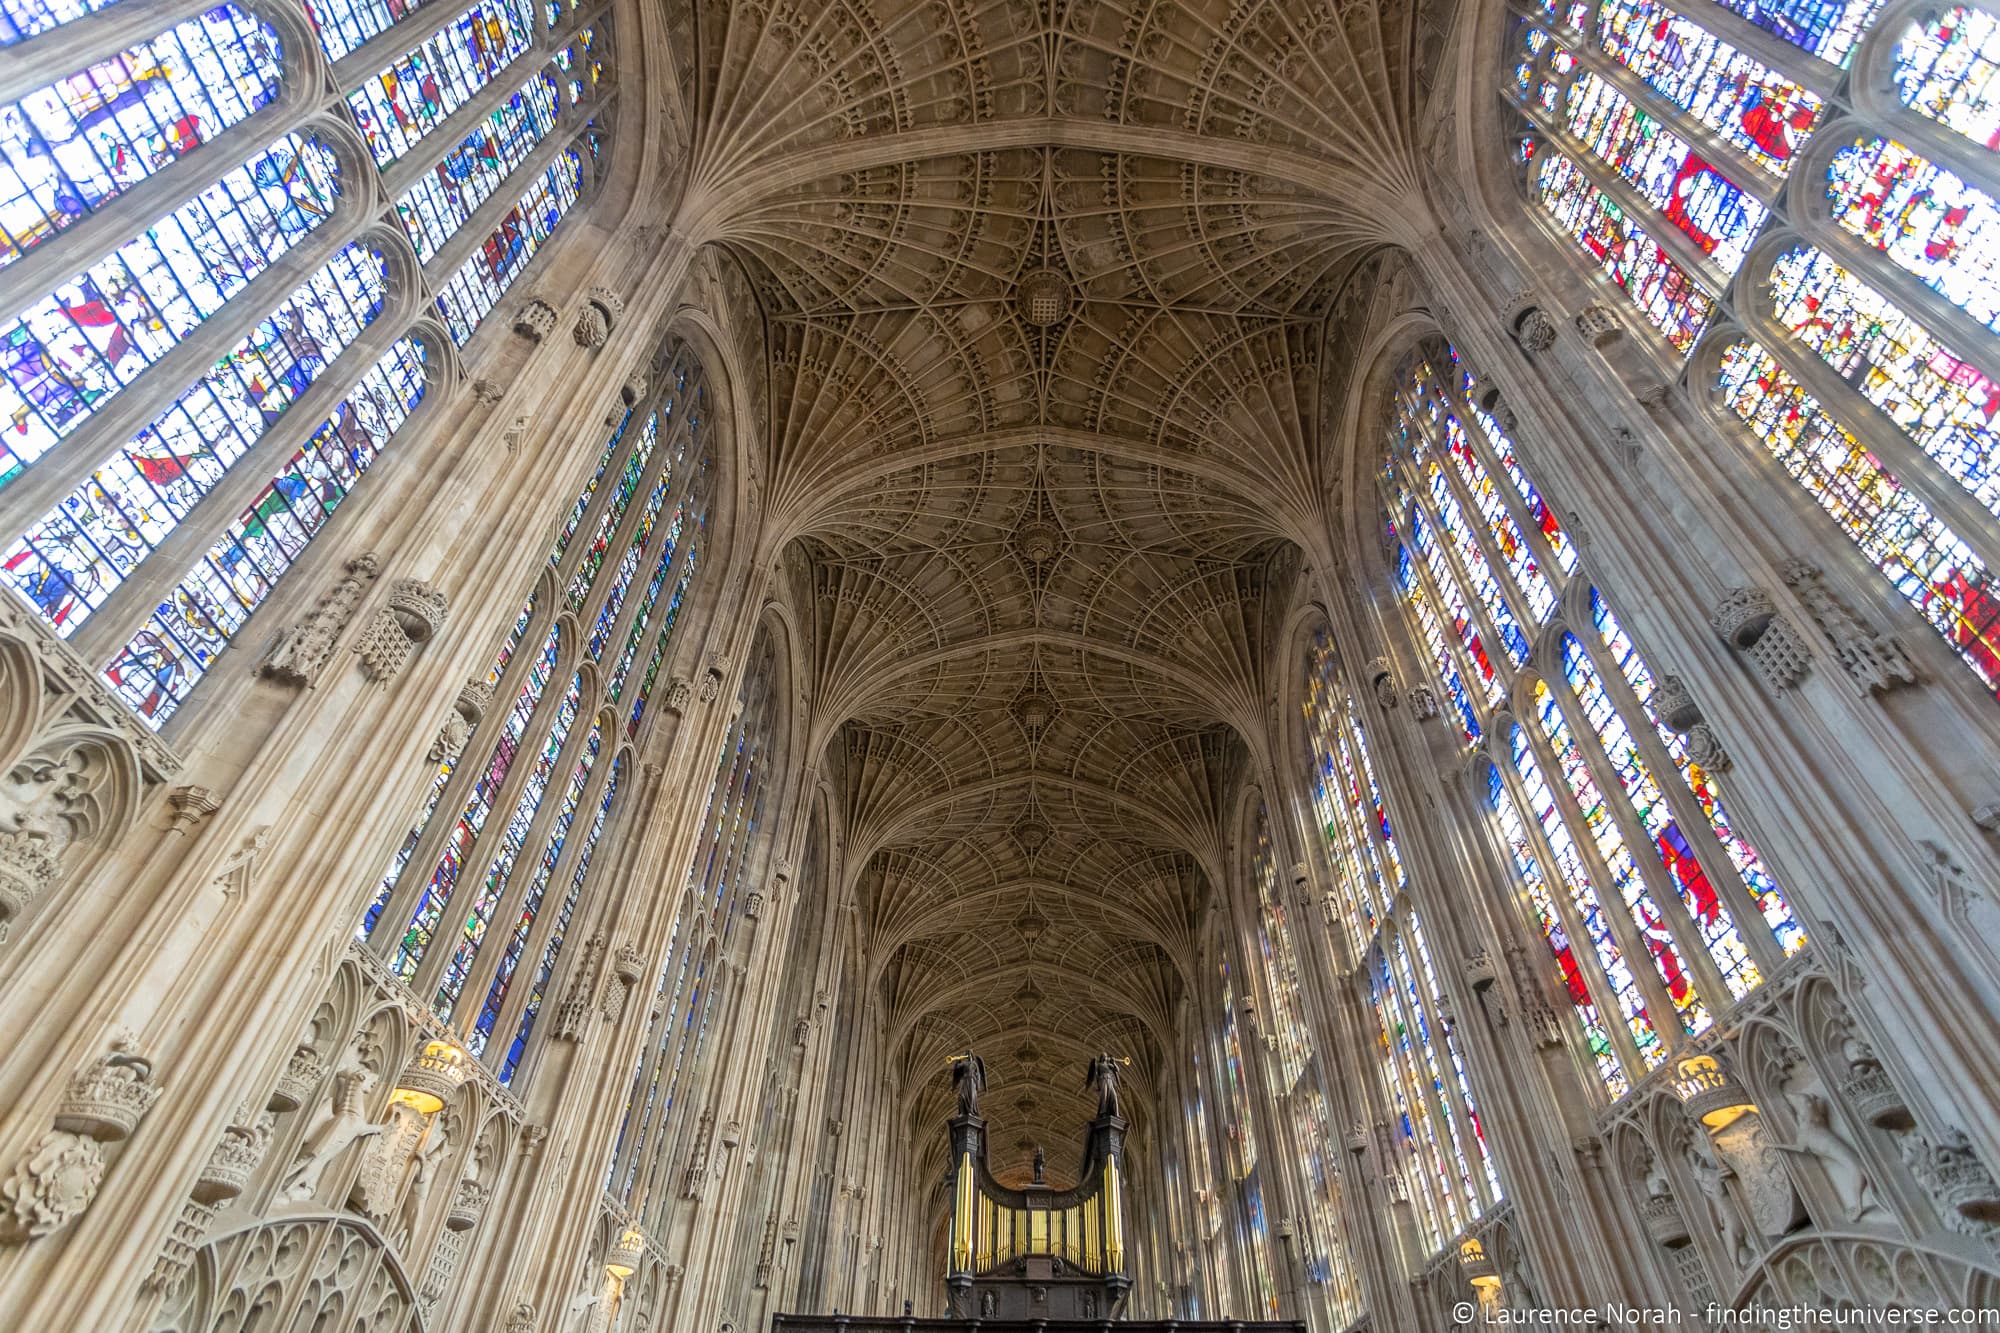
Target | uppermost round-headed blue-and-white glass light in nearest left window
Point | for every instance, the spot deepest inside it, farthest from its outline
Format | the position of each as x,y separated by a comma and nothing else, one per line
71,147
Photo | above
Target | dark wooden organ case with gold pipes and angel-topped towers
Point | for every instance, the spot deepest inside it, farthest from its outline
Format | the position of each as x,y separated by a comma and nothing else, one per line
1037,1254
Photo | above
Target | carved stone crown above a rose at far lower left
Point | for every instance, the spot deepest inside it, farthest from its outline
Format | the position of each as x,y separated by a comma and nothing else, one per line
59,1178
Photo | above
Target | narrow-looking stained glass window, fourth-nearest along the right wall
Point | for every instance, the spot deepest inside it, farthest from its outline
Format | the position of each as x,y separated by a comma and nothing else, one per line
1313,1156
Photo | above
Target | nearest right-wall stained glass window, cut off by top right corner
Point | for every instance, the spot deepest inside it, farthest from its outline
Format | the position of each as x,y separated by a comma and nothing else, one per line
1861,349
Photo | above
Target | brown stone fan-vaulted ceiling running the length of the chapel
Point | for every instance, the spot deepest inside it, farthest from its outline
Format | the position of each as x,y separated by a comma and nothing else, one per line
1047,291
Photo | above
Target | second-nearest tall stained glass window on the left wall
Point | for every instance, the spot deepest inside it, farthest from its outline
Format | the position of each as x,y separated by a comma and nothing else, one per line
485,888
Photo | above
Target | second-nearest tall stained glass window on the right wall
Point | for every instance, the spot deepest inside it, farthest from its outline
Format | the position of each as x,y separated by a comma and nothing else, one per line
1657,910
